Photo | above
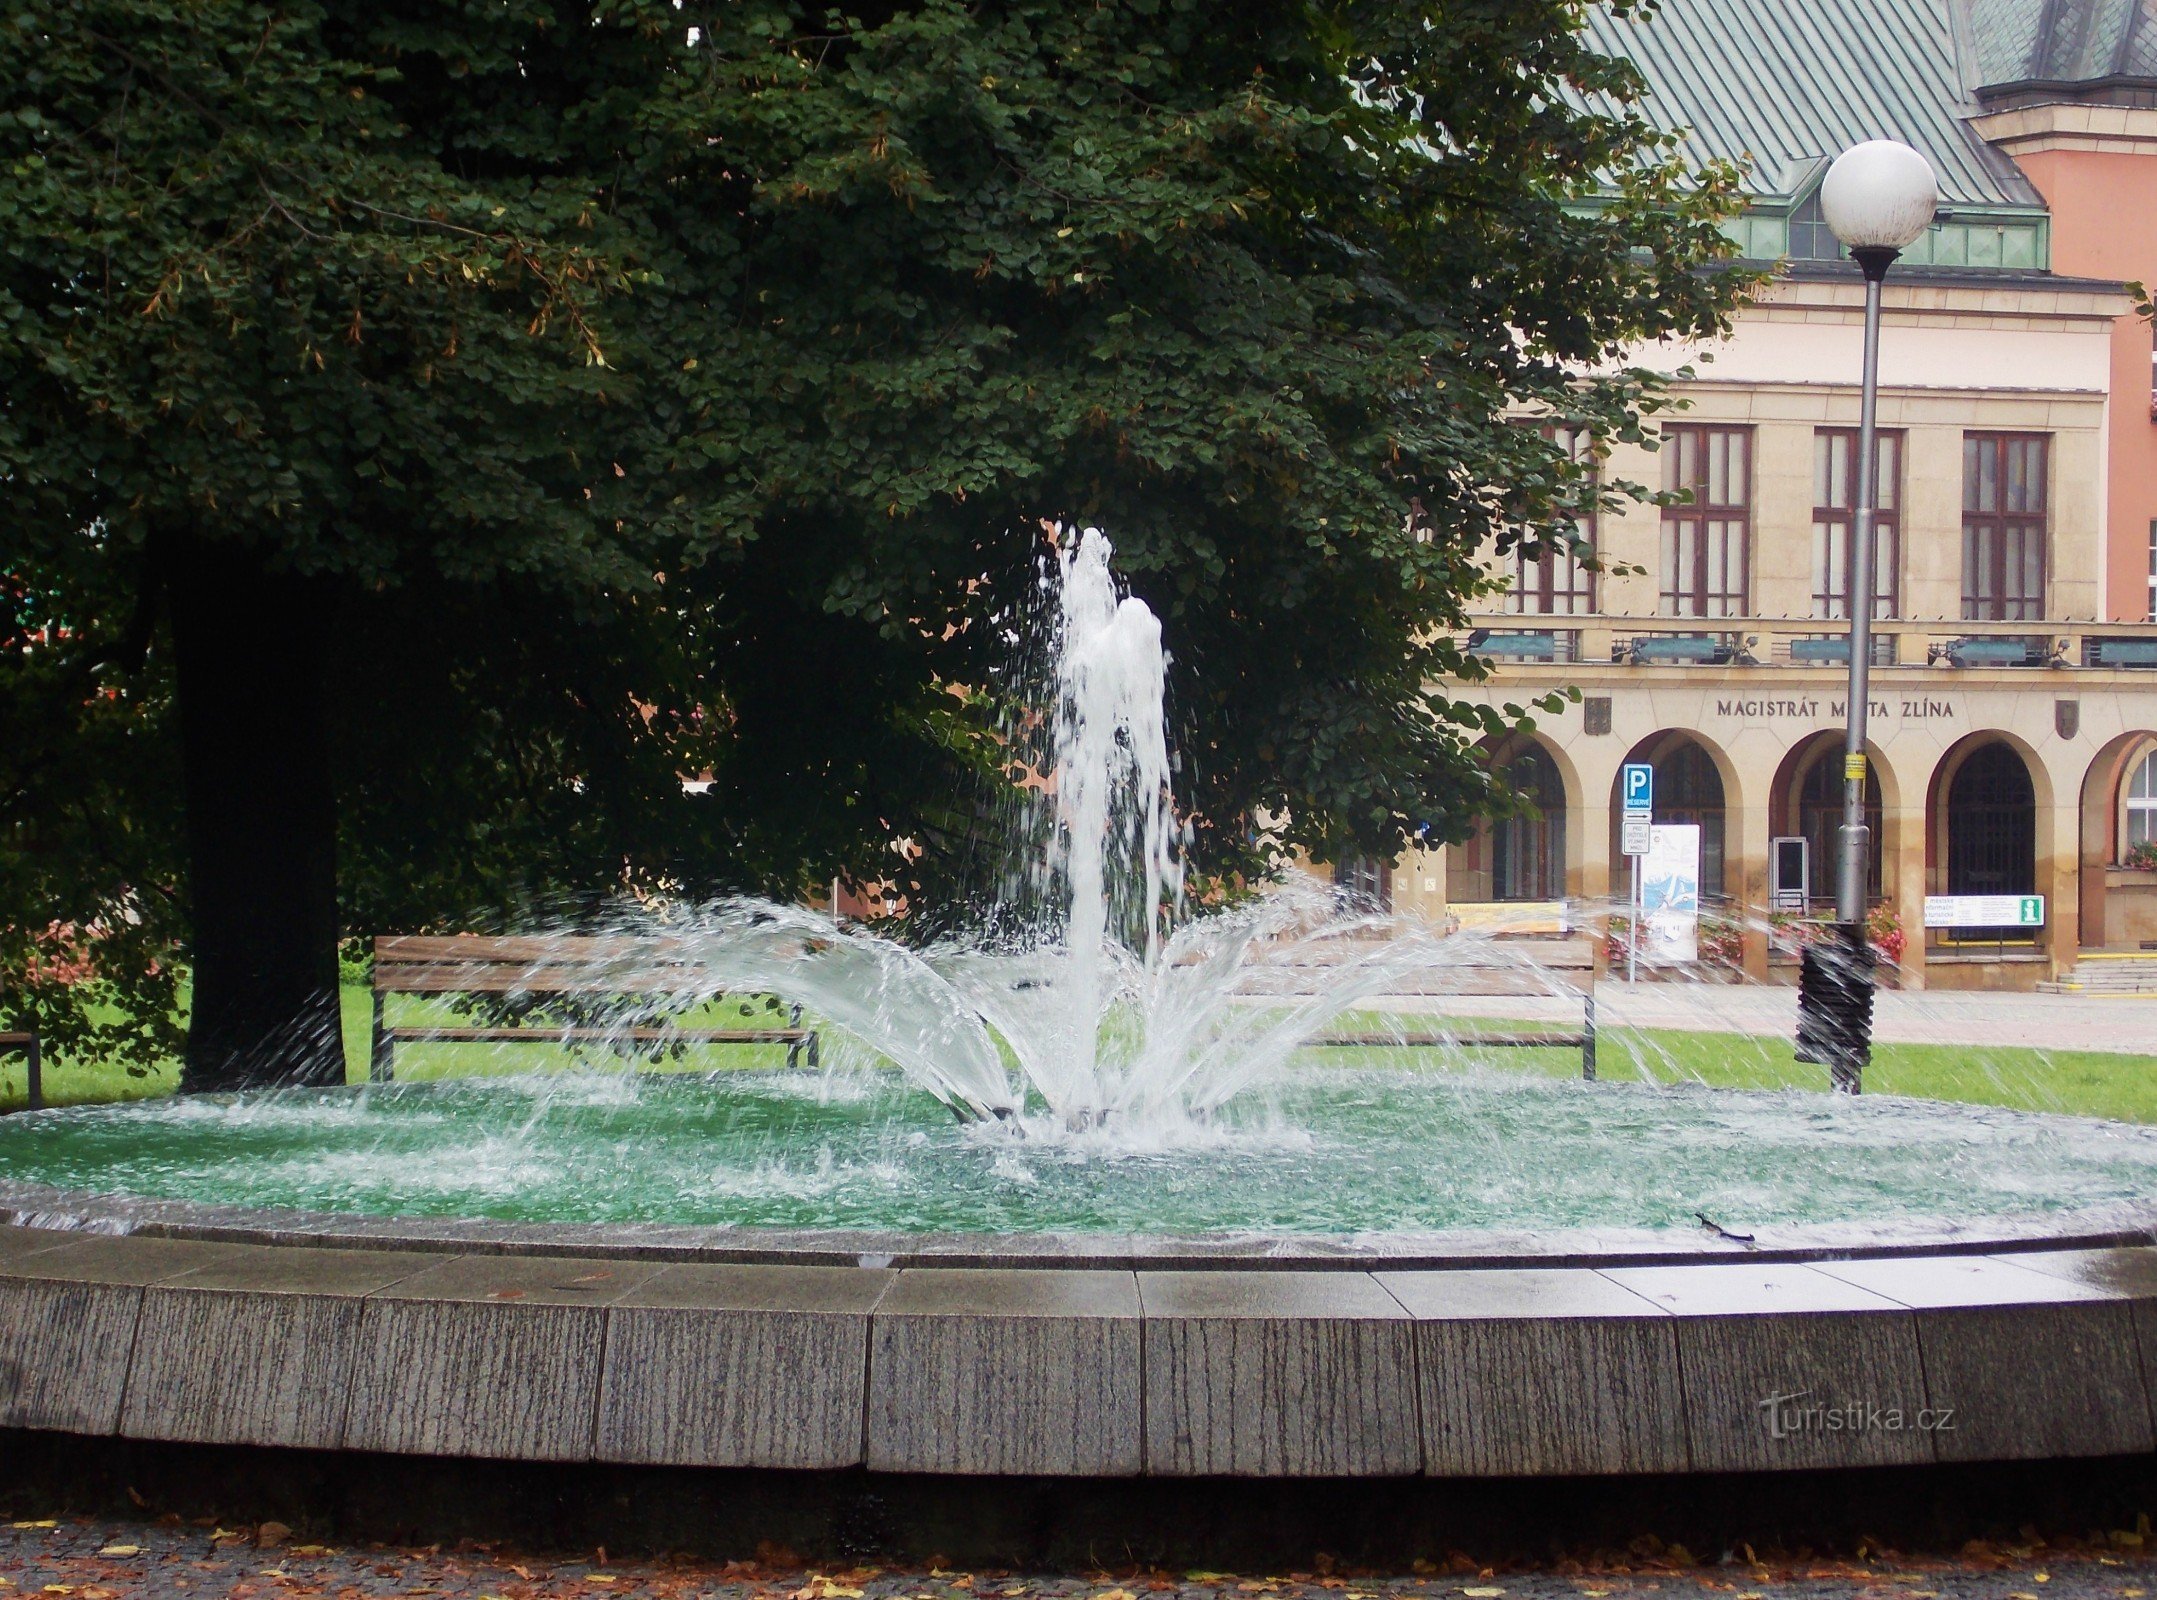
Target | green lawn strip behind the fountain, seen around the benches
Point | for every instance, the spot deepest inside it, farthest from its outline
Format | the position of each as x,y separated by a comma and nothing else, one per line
2080,1081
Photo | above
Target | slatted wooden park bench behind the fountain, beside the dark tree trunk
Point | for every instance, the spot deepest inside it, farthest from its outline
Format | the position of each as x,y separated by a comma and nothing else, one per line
553,969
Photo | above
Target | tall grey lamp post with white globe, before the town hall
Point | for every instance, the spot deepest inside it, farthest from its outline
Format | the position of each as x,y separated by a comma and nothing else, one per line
1878,199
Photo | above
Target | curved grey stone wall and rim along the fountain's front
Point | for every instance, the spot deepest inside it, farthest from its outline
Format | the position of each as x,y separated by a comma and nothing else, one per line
1254,1373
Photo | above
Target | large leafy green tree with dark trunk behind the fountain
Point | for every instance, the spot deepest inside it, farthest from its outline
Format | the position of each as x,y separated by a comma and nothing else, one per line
745,346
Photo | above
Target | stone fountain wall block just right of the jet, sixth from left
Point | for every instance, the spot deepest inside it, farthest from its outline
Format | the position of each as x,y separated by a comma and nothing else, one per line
1278,1375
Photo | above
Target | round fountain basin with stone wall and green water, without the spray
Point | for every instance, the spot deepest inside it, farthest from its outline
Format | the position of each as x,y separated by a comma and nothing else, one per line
1362,1273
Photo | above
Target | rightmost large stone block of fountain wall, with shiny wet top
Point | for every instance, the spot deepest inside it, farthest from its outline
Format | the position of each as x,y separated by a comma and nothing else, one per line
2018,1364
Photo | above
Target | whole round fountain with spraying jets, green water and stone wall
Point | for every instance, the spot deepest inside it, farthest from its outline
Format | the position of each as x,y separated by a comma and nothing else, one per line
1114,1116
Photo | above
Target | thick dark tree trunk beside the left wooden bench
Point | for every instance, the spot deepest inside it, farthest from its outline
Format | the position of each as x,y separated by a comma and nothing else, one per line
253,659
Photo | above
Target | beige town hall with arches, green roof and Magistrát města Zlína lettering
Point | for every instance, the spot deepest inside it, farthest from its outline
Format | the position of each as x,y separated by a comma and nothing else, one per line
2016,652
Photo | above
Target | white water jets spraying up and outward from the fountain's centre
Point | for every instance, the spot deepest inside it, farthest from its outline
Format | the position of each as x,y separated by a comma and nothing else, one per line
1125,1012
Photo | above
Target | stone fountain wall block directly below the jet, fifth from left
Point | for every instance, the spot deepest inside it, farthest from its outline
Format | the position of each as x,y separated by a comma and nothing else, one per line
985,1370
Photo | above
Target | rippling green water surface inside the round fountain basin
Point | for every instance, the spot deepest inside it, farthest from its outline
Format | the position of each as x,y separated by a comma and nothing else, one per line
1330,1157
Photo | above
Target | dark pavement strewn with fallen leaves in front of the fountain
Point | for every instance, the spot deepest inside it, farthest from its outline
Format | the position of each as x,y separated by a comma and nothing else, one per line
107,1560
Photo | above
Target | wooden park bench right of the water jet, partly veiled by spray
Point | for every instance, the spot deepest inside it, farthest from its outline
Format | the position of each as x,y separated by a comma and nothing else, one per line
1526,967
